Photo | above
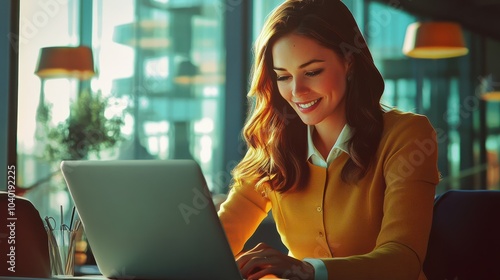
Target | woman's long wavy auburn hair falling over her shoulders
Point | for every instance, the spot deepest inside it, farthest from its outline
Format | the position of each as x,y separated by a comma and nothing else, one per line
275,135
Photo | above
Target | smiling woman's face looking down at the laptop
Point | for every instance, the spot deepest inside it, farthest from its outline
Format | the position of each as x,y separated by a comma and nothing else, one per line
311,77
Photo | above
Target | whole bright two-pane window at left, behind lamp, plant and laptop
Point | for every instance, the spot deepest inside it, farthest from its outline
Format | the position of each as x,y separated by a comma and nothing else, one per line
160,69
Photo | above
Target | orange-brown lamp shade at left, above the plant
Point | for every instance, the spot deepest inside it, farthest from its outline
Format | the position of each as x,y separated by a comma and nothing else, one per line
66,62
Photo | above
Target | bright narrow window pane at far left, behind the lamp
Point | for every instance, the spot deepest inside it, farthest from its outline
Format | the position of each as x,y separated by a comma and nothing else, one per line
42,24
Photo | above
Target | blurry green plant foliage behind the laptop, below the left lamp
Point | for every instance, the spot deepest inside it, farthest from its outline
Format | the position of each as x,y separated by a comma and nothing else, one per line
86,131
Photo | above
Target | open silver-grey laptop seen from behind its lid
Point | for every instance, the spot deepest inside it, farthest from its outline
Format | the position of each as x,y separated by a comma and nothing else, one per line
150,219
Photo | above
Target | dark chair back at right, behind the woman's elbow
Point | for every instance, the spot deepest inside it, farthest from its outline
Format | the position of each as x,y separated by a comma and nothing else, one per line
464,242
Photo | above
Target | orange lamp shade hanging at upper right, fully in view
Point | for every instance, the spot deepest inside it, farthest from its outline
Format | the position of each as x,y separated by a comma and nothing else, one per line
434,40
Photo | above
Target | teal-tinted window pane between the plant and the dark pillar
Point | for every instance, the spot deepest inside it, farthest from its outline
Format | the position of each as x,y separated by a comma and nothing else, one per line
164,60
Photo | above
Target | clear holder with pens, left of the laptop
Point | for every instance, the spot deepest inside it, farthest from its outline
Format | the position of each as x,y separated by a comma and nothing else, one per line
62,251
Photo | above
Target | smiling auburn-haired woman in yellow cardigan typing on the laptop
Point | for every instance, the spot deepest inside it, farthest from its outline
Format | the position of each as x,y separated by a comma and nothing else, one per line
351,185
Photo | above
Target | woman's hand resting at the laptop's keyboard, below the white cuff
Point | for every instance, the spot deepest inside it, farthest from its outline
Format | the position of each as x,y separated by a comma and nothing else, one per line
263,260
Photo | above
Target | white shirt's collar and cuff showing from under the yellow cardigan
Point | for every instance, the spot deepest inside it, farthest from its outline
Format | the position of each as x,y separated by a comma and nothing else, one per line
315,157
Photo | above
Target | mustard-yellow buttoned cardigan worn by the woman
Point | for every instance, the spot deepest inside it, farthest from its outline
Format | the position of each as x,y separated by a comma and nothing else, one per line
376,229
